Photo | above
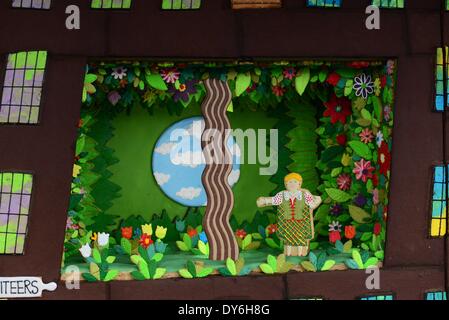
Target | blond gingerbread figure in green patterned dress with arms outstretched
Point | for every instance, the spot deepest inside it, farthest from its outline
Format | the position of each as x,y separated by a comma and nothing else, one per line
295,215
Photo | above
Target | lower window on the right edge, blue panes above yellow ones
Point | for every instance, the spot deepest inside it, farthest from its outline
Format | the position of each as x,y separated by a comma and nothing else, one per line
439,221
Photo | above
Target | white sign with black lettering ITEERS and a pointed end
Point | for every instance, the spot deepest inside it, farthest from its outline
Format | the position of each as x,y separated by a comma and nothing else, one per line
24,287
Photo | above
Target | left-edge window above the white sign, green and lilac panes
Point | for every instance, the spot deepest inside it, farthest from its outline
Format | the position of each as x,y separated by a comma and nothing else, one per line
15,197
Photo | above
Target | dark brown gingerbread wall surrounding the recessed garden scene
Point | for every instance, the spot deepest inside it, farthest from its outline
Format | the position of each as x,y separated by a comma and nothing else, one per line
414,263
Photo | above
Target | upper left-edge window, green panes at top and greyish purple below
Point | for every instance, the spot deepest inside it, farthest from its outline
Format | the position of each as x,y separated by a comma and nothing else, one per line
22,89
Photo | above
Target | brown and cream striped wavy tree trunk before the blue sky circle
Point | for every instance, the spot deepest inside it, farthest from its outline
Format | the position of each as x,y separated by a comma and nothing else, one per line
220,199
